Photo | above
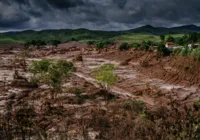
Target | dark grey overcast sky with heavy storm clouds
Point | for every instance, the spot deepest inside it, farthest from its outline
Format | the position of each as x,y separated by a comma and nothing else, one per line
96,14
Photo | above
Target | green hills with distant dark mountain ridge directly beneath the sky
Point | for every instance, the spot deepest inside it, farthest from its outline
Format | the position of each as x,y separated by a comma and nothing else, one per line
83,35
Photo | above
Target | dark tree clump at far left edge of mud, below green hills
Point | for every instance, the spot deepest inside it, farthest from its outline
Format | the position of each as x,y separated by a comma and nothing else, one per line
40,43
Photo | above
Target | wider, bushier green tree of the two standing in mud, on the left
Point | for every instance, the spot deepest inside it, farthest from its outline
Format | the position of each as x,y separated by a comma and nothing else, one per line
51,72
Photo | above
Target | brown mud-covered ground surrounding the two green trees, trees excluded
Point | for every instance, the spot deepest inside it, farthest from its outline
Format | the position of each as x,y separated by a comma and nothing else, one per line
149,89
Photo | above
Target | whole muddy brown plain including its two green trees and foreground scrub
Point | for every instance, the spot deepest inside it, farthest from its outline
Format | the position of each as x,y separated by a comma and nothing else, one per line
67,106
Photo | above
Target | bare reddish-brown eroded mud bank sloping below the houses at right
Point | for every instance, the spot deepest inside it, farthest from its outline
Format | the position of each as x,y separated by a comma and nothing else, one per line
172,69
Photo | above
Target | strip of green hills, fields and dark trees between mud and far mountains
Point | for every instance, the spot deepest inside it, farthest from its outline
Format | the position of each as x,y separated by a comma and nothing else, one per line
102,38
